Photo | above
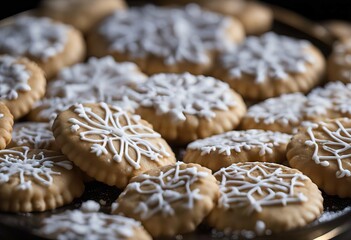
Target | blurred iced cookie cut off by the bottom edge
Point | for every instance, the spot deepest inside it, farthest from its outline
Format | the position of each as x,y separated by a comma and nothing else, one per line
88,223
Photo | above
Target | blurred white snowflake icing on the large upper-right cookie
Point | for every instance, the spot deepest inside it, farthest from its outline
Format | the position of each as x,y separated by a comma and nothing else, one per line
270,56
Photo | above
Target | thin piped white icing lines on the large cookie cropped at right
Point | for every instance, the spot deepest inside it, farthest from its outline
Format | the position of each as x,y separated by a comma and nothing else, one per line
337,146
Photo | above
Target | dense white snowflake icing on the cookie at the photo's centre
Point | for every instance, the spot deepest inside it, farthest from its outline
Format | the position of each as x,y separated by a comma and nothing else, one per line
180,94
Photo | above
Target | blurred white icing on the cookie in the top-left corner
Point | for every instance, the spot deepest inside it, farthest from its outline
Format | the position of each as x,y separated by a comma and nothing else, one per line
35,36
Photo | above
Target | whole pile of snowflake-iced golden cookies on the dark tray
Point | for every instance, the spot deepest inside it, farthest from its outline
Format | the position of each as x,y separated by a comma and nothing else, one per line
102,91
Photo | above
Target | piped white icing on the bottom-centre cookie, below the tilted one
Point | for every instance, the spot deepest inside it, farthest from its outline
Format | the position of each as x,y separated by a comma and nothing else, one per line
170,187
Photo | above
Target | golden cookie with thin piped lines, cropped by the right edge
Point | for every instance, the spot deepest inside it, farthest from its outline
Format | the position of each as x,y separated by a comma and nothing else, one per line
323,153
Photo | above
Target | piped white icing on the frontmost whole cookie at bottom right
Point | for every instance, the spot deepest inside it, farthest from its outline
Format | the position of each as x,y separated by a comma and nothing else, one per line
255,186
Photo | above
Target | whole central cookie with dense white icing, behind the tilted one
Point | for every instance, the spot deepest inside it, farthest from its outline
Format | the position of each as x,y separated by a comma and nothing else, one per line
185,107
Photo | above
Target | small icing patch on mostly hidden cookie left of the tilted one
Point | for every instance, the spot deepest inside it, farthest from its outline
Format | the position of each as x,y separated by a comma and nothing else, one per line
37,135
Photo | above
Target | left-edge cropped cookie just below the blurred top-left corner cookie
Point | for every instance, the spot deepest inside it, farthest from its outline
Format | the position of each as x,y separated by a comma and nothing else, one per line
22,84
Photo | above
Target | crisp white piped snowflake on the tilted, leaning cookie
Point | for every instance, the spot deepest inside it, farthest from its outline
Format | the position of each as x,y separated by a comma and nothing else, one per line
110,131
